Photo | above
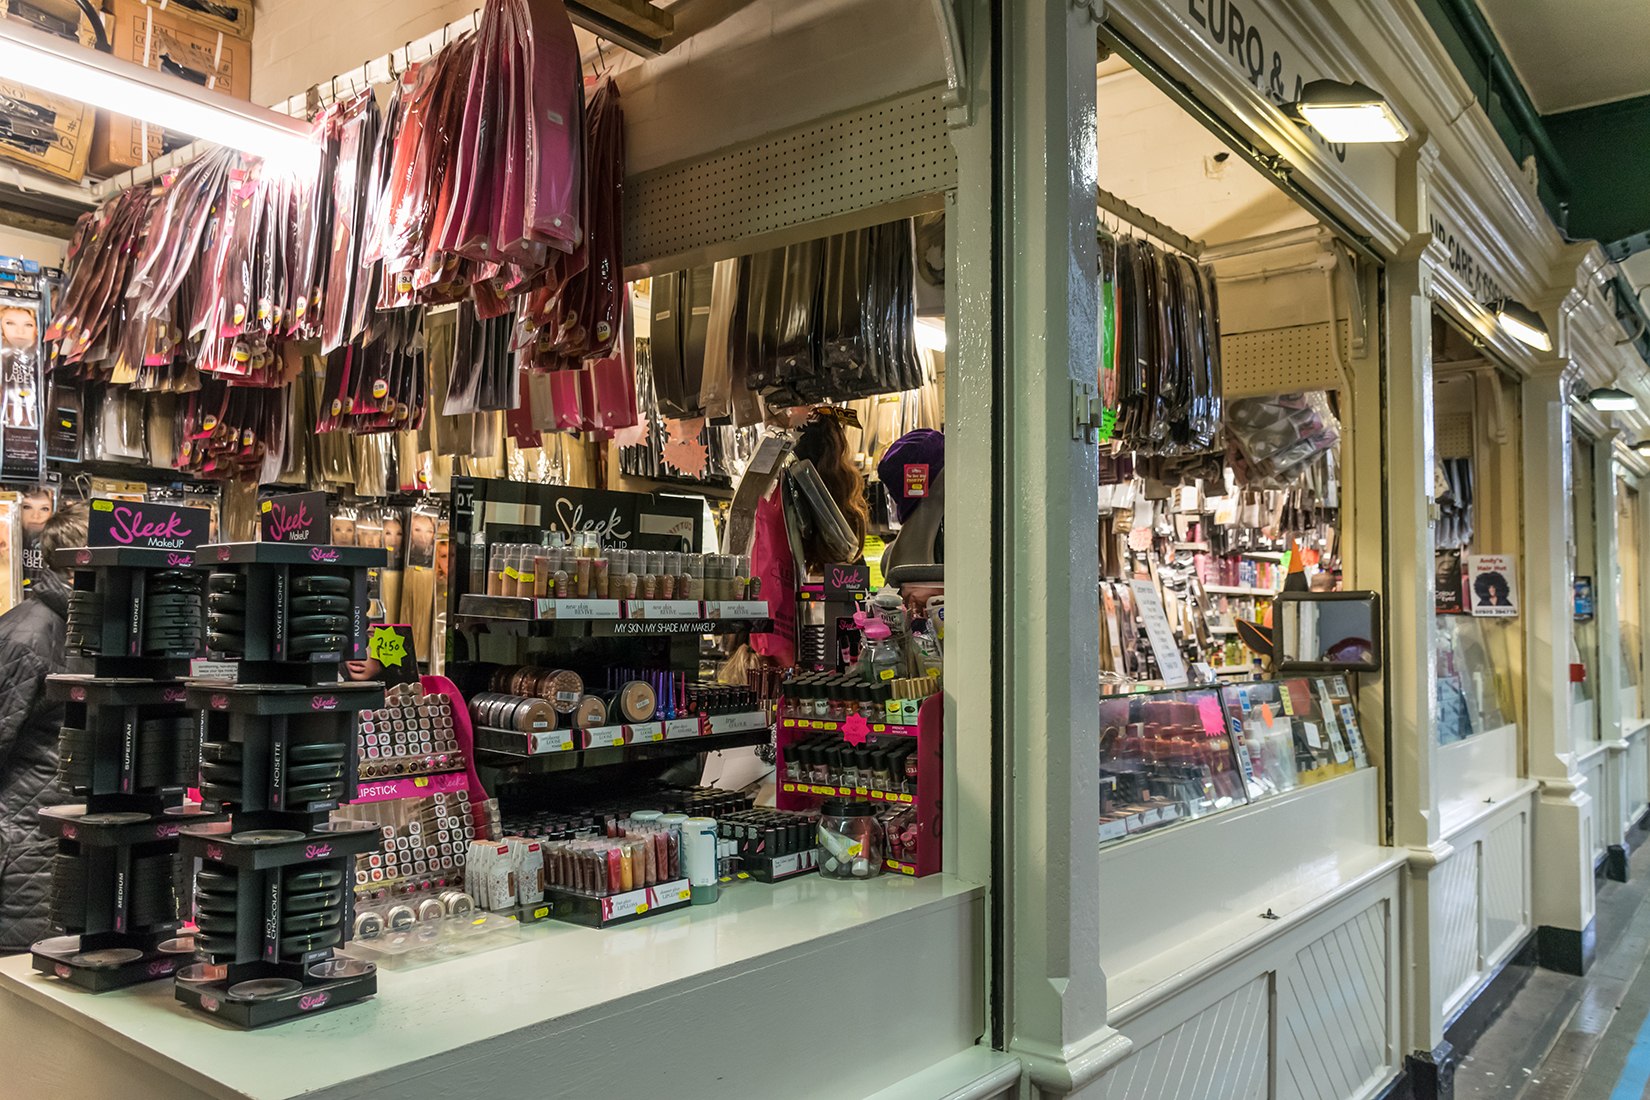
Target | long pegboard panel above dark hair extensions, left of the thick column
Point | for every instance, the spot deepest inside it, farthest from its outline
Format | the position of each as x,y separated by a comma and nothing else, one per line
872,157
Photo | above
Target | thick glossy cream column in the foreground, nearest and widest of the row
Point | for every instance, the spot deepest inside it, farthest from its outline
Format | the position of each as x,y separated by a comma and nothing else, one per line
1049,499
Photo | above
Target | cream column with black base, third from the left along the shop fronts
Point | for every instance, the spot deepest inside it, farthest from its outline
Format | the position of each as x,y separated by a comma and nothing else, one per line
1563,827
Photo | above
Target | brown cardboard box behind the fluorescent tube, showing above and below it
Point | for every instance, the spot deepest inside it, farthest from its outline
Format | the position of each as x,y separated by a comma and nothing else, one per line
169,40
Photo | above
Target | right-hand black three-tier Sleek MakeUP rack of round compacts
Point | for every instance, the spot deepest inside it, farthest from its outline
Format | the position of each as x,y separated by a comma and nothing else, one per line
273,885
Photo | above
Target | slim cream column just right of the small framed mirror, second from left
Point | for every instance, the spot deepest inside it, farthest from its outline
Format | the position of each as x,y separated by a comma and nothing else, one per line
1410,675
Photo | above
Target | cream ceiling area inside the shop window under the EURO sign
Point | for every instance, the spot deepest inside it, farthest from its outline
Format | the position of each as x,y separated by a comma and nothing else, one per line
1162,161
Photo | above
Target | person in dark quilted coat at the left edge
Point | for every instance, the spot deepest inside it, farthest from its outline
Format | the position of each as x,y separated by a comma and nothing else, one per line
31,651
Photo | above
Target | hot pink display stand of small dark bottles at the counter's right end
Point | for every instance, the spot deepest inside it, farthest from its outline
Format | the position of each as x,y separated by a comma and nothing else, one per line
918,847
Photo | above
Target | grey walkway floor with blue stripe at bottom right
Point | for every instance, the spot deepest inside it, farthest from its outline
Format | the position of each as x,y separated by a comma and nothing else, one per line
1568,1038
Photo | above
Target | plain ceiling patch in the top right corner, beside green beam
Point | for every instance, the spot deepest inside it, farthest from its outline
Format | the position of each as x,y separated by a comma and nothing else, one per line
1575,54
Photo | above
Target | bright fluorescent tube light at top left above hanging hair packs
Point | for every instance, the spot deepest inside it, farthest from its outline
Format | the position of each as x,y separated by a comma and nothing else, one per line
64,68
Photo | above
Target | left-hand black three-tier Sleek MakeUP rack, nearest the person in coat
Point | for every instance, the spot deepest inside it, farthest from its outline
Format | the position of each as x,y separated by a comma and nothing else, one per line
128,748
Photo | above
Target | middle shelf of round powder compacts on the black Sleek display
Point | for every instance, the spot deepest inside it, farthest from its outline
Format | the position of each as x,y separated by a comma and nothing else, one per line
537,712
